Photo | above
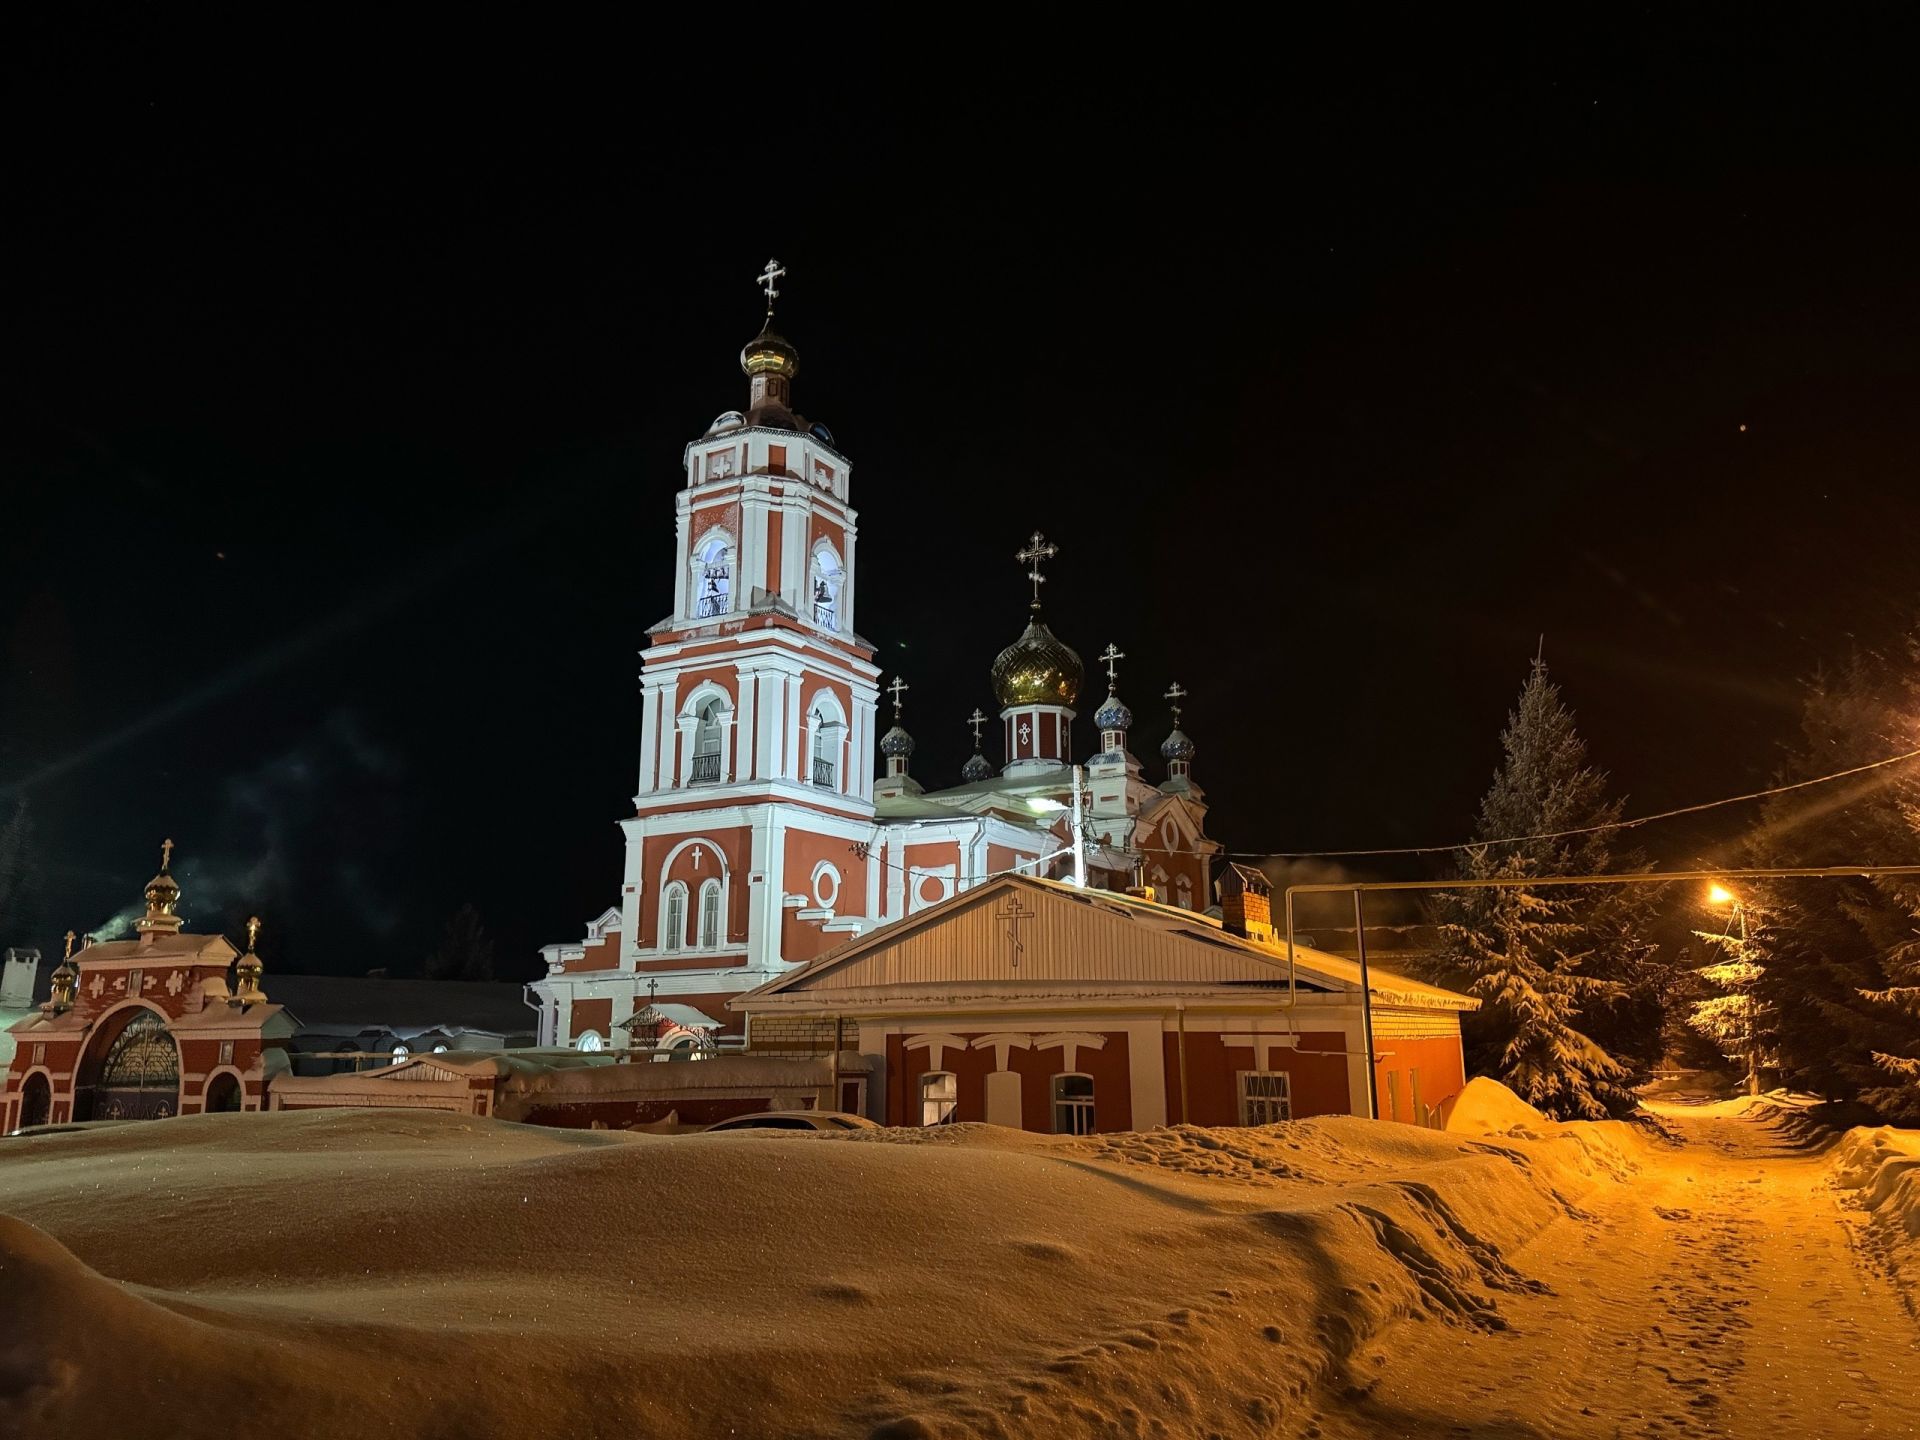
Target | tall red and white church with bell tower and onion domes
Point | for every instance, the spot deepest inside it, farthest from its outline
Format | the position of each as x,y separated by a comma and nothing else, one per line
763,830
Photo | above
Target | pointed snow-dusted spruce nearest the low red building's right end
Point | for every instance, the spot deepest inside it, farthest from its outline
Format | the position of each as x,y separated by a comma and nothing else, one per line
1550,967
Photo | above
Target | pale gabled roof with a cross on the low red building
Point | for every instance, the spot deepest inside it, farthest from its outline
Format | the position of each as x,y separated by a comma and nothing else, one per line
1067,944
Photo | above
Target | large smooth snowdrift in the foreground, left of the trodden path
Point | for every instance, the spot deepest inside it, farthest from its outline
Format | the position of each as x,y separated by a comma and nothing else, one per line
304,1272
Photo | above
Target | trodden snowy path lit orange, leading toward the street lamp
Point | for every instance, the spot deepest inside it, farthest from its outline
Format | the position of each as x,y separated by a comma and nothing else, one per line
1719,1295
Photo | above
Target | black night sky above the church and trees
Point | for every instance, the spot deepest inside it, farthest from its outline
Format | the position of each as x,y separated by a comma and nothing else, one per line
345,429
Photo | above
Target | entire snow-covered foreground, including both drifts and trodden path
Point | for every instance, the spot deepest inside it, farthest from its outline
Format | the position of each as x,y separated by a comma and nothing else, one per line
362,1274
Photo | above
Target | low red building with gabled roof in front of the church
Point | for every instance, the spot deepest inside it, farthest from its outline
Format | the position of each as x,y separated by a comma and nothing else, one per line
1068,1011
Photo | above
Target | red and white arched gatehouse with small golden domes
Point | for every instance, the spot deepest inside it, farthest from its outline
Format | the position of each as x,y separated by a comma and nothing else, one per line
149,1028
